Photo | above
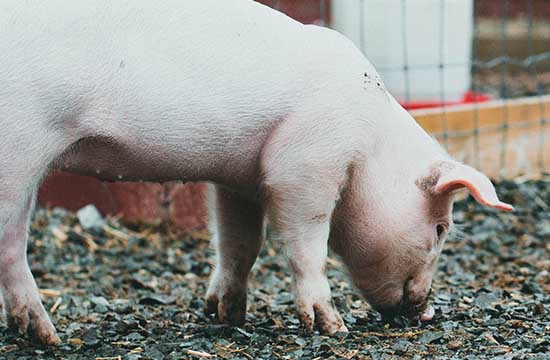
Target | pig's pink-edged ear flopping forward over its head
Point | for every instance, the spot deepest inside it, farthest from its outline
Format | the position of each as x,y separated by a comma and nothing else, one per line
462,176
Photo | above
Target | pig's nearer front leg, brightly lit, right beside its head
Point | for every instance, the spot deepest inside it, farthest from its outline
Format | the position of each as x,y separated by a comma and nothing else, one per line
300,215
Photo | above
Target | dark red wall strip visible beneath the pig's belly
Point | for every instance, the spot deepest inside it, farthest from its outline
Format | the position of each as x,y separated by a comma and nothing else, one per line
181,204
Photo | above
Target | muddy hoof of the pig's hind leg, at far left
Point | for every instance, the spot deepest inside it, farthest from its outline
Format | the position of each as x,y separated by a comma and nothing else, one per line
34,321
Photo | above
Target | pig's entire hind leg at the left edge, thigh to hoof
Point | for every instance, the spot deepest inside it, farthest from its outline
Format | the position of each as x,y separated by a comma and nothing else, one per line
26,151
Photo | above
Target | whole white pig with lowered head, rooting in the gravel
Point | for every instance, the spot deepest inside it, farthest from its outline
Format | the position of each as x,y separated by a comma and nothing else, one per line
290,121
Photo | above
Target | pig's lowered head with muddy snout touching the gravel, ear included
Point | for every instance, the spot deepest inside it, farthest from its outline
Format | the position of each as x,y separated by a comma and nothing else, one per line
390,231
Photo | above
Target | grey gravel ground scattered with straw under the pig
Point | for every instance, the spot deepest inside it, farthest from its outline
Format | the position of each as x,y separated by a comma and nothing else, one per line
136,293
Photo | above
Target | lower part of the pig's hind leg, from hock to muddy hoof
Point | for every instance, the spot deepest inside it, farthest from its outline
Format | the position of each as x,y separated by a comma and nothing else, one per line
23,307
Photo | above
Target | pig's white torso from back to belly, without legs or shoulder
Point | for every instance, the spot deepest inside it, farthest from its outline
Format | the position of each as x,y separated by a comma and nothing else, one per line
191,84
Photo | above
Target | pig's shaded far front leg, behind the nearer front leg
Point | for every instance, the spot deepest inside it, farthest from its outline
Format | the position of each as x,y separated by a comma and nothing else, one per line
238,241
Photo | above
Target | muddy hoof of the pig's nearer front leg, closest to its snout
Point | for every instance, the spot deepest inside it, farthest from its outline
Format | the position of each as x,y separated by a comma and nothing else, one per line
323,315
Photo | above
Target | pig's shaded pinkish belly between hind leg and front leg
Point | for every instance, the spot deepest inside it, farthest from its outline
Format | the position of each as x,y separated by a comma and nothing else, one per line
233,165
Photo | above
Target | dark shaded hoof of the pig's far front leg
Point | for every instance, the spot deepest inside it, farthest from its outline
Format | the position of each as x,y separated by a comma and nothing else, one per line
228,306
